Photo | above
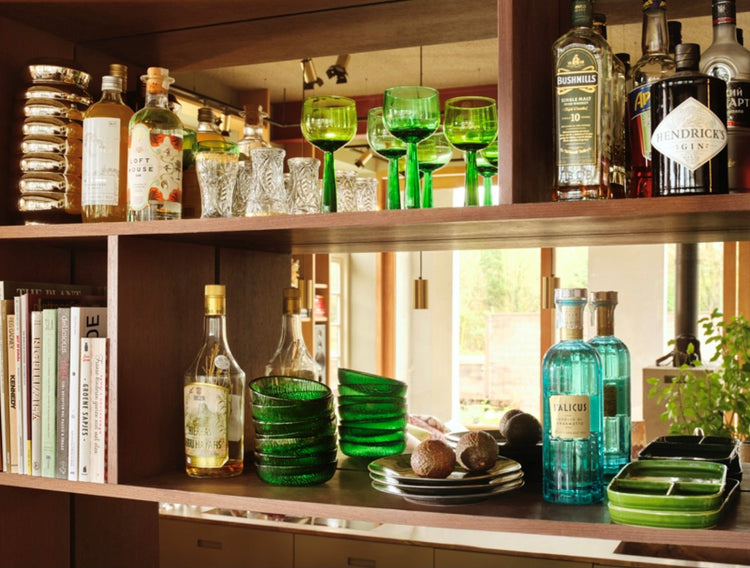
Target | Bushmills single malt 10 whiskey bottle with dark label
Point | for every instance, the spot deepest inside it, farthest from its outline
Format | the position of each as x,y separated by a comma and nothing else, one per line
583,68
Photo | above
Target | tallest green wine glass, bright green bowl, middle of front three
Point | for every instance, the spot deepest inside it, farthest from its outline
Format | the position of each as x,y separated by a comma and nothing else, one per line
411,114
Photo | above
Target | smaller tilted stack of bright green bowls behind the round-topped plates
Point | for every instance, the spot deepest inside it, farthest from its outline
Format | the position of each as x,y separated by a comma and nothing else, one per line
372,414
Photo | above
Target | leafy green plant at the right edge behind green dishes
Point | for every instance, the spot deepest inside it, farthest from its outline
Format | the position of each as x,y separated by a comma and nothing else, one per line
718,399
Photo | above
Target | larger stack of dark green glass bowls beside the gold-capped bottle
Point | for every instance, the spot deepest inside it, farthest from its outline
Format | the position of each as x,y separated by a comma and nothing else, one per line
295,430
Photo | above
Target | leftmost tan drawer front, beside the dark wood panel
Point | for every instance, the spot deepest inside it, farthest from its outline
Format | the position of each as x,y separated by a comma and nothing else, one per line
188,544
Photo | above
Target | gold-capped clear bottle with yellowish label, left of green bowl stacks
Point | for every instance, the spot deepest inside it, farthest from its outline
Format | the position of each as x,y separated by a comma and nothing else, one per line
214,398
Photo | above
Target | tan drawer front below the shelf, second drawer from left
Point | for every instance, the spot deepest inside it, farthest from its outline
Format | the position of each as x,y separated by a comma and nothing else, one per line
325,552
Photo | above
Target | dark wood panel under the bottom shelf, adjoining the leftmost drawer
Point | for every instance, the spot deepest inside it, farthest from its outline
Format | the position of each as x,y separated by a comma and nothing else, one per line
115,533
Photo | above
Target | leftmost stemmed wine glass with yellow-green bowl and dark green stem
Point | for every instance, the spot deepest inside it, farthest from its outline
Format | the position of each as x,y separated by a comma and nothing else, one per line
329,123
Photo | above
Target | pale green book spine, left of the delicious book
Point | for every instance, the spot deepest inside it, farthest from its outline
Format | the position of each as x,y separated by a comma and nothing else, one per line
49,393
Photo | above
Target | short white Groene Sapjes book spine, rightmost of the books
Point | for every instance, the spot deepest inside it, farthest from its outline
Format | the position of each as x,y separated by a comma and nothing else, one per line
100,409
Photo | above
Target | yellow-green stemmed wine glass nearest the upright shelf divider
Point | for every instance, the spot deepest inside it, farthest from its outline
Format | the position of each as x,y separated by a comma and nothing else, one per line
470,125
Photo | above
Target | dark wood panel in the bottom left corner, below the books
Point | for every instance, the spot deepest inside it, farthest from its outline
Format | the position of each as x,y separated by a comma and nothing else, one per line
34,528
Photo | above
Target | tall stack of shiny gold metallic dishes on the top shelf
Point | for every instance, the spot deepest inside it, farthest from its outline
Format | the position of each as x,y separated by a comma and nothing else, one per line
51,149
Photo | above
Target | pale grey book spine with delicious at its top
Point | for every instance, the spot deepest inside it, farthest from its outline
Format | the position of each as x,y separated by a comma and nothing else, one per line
63,392
